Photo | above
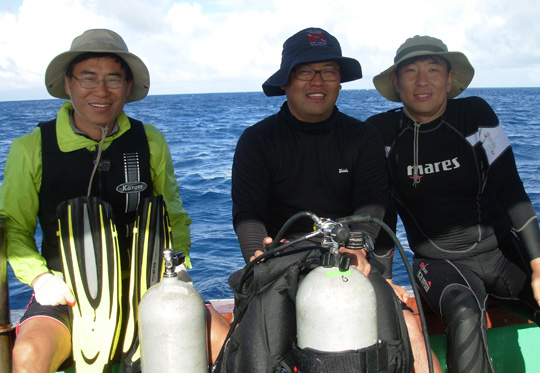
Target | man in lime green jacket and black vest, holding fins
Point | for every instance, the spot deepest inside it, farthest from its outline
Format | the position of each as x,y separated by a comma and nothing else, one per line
55,162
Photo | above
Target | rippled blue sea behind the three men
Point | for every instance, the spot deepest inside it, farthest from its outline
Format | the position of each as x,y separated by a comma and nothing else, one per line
202,131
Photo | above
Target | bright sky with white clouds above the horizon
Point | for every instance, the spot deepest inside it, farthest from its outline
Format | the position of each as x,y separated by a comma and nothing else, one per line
210,46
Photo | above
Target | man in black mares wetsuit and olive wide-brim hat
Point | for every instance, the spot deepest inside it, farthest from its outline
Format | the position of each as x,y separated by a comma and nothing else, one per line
455,185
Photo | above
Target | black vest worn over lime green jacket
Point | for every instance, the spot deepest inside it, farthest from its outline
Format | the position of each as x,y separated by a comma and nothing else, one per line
122,179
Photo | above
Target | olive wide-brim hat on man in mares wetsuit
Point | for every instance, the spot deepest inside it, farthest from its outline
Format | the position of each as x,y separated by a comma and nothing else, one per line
426,46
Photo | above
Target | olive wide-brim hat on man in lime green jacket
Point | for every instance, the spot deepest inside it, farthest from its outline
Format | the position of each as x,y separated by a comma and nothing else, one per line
98,41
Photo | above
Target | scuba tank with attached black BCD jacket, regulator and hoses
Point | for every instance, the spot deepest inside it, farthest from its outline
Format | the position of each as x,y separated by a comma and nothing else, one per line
325,310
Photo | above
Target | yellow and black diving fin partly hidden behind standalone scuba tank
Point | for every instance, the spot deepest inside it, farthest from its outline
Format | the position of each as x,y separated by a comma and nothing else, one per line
151,234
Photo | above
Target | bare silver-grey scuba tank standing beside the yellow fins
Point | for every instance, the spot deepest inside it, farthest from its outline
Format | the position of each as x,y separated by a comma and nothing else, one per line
172,324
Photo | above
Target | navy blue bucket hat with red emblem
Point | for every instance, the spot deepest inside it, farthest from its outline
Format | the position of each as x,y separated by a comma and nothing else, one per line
308,46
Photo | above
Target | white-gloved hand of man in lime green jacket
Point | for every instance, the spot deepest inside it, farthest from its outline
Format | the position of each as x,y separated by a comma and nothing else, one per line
51,290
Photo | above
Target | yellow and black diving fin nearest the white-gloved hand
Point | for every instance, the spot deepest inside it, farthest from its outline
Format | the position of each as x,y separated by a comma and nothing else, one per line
89,248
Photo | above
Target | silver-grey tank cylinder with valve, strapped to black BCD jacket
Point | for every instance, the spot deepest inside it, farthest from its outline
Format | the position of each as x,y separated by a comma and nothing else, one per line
335,303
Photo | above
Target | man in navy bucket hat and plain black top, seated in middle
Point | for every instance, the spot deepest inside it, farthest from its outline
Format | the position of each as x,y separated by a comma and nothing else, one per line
311,157
